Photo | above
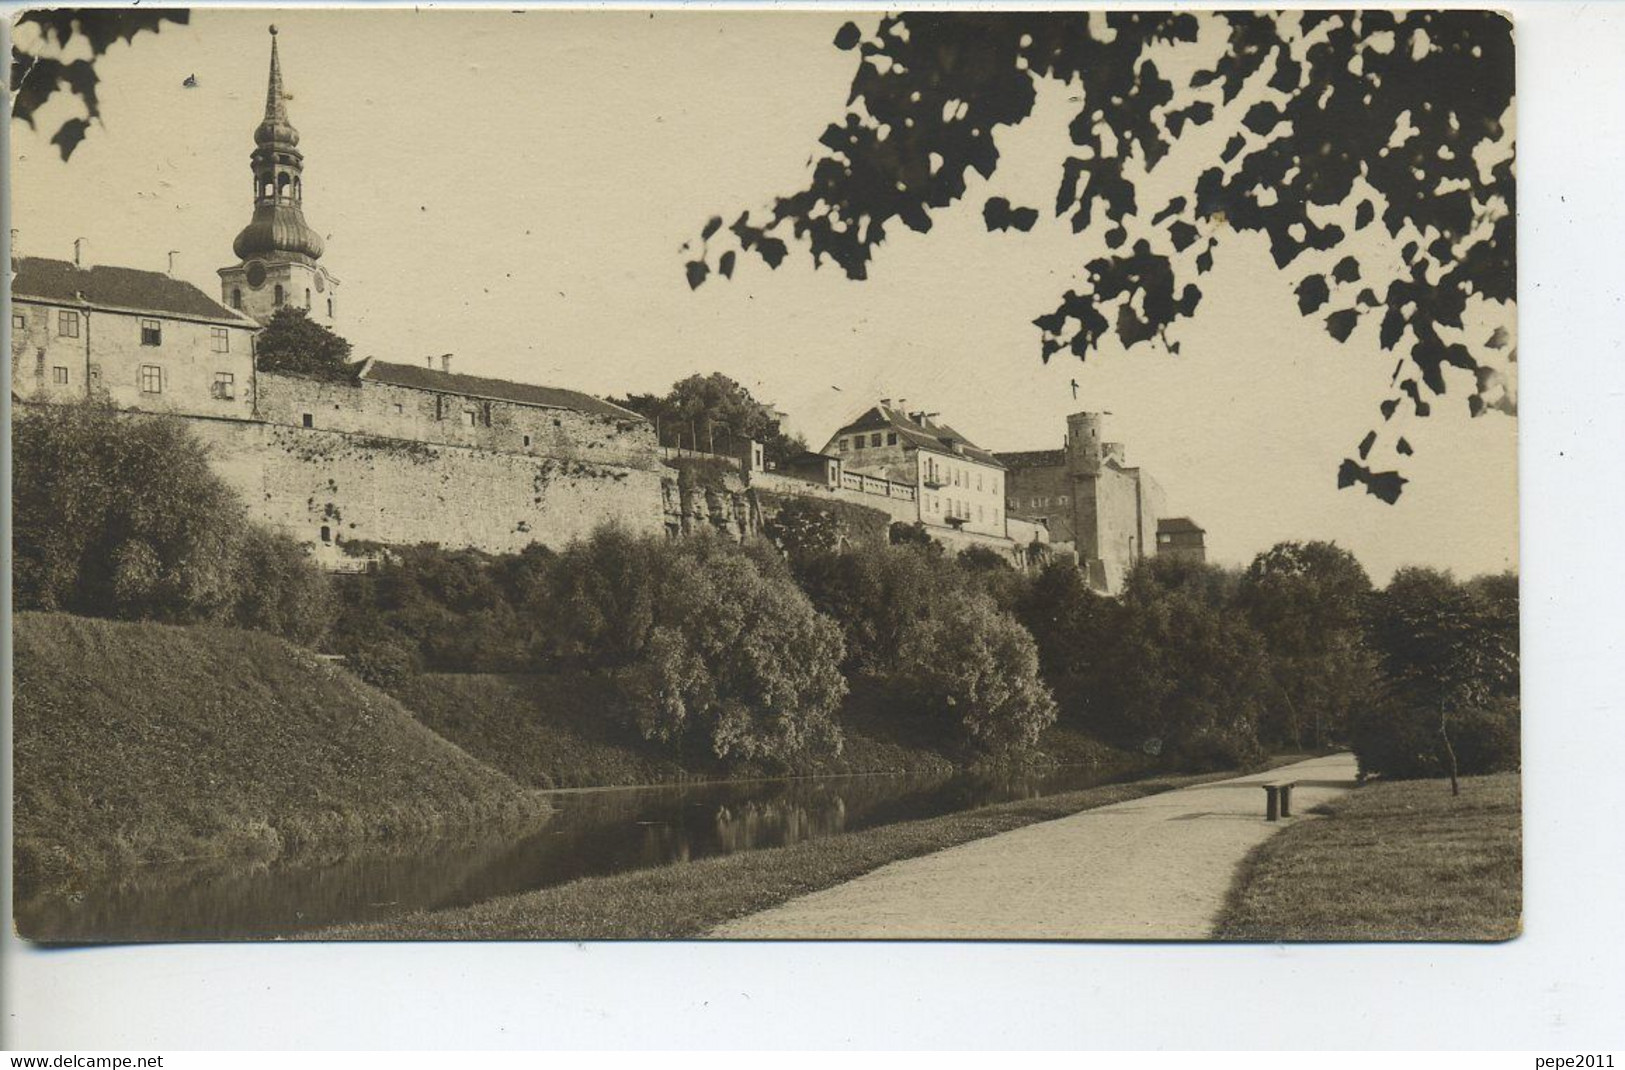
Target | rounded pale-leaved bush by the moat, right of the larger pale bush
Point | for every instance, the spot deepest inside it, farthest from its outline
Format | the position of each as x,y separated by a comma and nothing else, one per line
977,671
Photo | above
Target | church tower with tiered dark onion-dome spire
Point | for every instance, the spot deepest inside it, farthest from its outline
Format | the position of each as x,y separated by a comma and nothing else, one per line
279,251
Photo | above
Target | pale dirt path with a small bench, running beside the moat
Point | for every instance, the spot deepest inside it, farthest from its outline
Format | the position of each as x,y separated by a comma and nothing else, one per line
1150,869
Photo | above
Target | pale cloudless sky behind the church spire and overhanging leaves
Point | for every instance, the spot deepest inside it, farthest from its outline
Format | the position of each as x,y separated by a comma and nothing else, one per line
516,189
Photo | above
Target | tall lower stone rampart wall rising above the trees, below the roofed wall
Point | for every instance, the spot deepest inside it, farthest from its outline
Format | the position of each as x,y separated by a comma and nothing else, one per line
329,489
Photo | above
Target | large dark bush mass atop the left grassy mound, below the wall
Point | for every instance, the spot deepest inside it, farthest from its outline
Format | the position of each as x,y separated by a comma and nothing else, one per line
124,518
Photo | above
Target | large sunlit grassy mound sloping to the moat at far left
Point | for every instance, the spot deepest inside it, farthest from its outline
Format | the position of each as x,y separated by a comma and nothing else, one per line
141,742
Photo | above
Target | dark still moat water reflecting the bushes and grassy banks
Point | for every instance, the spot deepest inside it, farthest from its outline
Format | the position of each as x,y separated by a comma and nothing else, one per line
591,833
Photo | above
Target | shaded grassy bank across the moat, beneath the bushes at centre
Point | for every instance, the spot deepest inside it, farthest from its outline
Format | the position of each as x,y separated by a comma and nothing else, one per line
557,733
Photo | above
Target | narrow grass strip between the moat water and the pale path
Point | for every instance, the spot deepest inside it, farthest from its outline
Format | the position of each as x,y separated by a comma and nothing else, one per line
693,898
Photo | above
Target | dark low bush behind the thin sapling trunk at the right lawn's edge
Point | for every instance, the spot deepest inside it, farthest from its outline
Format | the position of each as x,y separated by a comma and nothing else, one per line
1403,742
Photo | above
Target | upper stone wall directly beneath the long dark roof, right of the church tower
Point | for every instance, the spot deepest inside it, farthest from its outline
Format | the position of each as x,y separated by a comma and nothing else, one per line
381,409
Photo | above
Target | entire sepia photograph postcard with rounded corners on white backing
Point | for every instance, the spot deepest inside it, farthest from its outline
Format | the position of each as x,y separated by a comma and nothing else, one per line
807,476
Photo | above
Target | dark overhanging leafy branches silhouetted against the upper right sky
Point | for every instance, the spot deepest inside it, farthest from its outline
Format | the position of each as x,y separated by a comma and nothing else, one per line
1343,121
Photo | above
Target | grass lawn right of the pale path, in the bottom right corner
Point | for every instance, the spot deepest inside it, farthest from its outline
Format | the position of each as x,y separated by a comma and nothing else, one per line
1390,861
